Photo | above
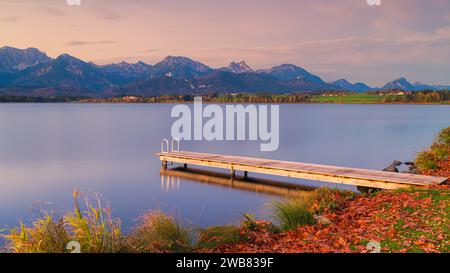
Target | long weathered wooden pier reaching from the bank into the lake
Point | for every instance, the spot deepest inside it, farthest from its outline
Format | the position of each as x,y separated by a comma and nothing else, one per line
325,173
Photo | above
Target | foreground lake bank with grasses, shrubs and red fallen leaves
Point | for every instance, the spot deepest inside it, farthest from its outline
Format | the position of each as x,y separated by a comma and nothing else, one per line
323,220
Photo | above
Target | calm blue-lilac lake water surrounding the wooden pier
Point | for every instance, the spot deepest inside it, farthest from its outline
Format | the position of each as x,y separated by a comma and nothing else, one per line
48,150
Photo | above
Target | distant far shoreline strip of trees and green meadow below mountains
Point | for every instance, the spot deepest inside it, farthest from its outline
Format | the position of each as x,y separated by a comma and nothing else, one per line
379,97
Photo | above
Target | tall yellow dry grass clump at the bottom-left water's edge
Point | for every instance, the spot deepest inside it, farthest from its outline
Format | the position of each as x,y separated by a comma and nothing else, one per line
94,228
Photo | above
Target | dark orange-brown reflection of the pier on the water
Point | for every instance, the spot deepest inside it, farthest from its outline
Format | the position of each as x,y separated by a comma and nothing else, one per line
171,181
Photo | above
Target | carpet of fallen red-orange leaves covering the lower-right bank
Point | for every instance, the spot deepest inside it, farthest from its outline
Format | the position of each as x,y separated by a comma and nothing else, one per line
401,221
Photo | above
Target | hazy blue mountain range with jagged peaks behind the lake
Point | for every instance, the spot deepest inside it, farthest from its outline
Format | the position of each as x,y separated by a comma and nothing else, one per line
31,72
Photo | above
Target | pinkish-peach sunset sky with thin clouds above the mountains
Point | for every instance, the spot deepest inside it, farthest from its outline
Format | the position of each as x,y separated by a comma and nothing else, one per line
331,38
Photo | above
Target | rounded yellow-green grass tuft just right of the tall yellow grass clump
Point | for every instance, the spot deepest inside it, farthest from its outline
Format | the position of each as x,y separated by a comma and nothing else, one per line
158,232
